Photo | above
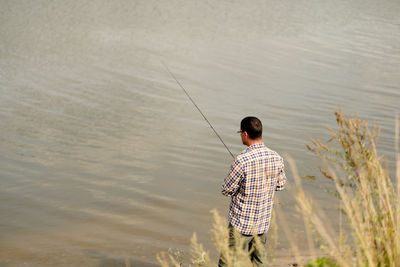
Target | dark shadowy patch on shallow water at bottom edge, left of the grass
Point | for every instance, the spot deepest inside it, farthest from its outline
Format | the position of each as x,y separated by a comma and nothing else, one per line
107,261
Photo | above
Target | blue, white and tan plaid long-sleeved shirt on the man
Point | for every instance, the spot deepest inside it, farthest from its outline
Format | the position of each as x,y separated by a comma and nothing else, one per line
254,177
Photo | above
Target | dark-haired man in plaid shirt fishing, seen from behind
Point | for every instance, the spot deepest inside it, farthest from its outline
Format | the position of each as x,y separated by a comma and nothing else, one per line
254,177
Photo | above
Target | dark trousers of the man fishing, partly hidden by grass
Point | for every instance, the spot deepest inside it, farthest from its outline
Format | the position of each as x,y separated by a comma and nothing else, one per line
257,251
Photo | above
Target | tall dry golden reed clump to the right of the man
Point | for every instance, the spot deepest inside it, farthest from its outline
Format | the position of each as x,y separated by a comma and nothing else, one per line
369,200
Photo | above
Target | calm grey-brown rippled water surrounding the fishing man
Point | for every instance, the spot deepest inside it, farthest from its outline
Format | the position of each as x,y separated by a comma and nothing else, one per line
104,161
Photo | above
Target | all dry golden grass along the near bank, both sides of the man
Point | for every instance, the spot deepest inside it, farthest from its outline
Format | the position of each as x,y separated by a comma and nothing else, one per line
369,201
